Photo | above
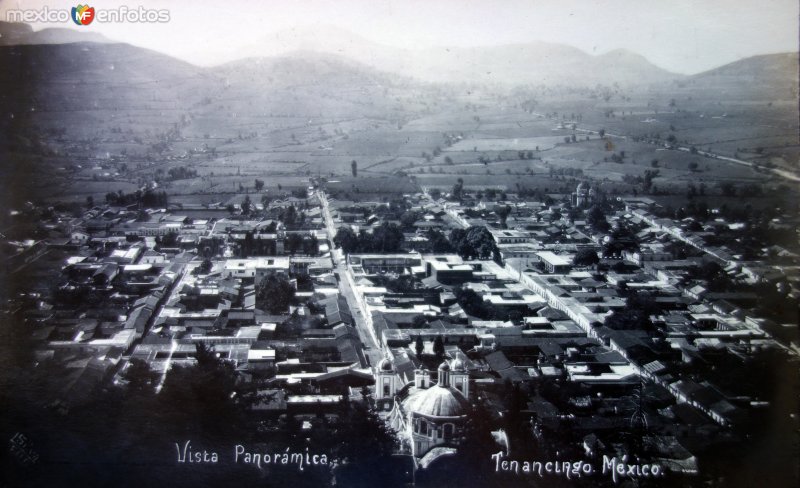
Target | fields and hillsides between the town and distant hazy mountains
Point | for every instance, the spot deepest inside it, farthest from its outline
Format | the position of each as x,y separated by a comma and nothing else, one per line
289,119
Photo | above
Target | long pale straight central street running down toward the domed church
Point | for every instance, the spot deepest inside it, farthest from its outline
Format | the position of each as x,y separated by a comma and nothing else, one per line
361,317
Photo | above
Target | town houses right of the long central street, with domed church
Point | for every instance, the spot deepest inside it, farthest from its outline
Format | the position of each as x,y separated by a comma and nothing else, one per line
557,332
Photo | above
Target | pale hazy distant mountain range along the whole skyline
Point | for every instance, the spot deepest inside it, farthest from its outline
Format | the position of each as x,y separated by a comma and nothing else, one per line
514,64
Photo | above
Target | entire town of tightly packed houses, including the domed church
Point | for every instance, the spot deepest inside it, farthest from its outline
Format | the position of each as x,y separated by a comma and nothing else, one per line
153,289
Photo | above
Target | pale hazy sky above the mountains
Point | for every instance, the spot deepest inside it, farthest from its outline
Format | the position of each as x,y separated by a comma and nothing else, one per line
685,36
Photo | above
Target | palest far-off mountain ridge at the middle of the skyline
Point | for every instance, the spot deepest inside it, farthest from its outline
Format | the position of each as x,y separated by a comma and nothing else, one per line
529,63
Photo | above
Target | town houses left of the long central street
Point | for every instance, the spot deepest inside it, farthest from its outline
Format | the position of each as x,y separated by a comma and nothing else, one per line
130,288
